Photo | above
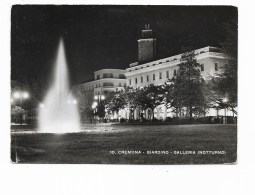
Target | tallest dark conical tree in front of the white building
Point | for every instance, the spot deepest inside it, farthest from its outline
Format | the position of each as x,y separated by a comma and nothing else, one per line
188,86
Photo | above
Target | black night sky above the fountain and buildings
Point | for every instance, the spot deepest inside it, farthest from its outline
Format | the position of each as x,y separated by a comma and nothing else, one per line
99,37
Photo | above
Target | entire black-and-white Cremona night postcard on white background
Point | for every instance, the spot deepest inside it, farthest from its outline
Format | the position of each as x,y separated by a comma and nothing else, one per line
124,84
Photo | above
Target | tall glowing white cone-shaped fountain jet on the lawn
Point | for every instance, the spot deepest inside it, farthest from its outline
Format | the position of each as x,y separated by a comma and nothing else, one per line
59,113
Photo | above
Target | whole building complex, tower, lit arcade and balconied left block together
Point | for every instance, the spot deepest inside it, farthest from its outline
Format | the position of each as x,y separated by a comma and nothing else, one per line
149,70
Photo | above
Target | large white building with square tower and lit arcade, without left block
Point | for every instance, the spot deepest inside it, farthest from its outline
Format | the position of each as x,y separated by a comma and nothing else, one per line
147,70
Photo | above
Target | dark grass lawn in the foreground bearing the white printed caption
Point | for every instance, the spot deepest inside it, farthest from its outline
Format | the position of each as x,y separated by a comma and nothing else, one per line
111,145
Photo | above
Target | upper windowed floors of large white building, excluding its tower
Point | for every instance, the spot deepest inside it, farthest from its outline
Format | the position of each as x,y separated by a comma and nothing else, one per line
160,71
